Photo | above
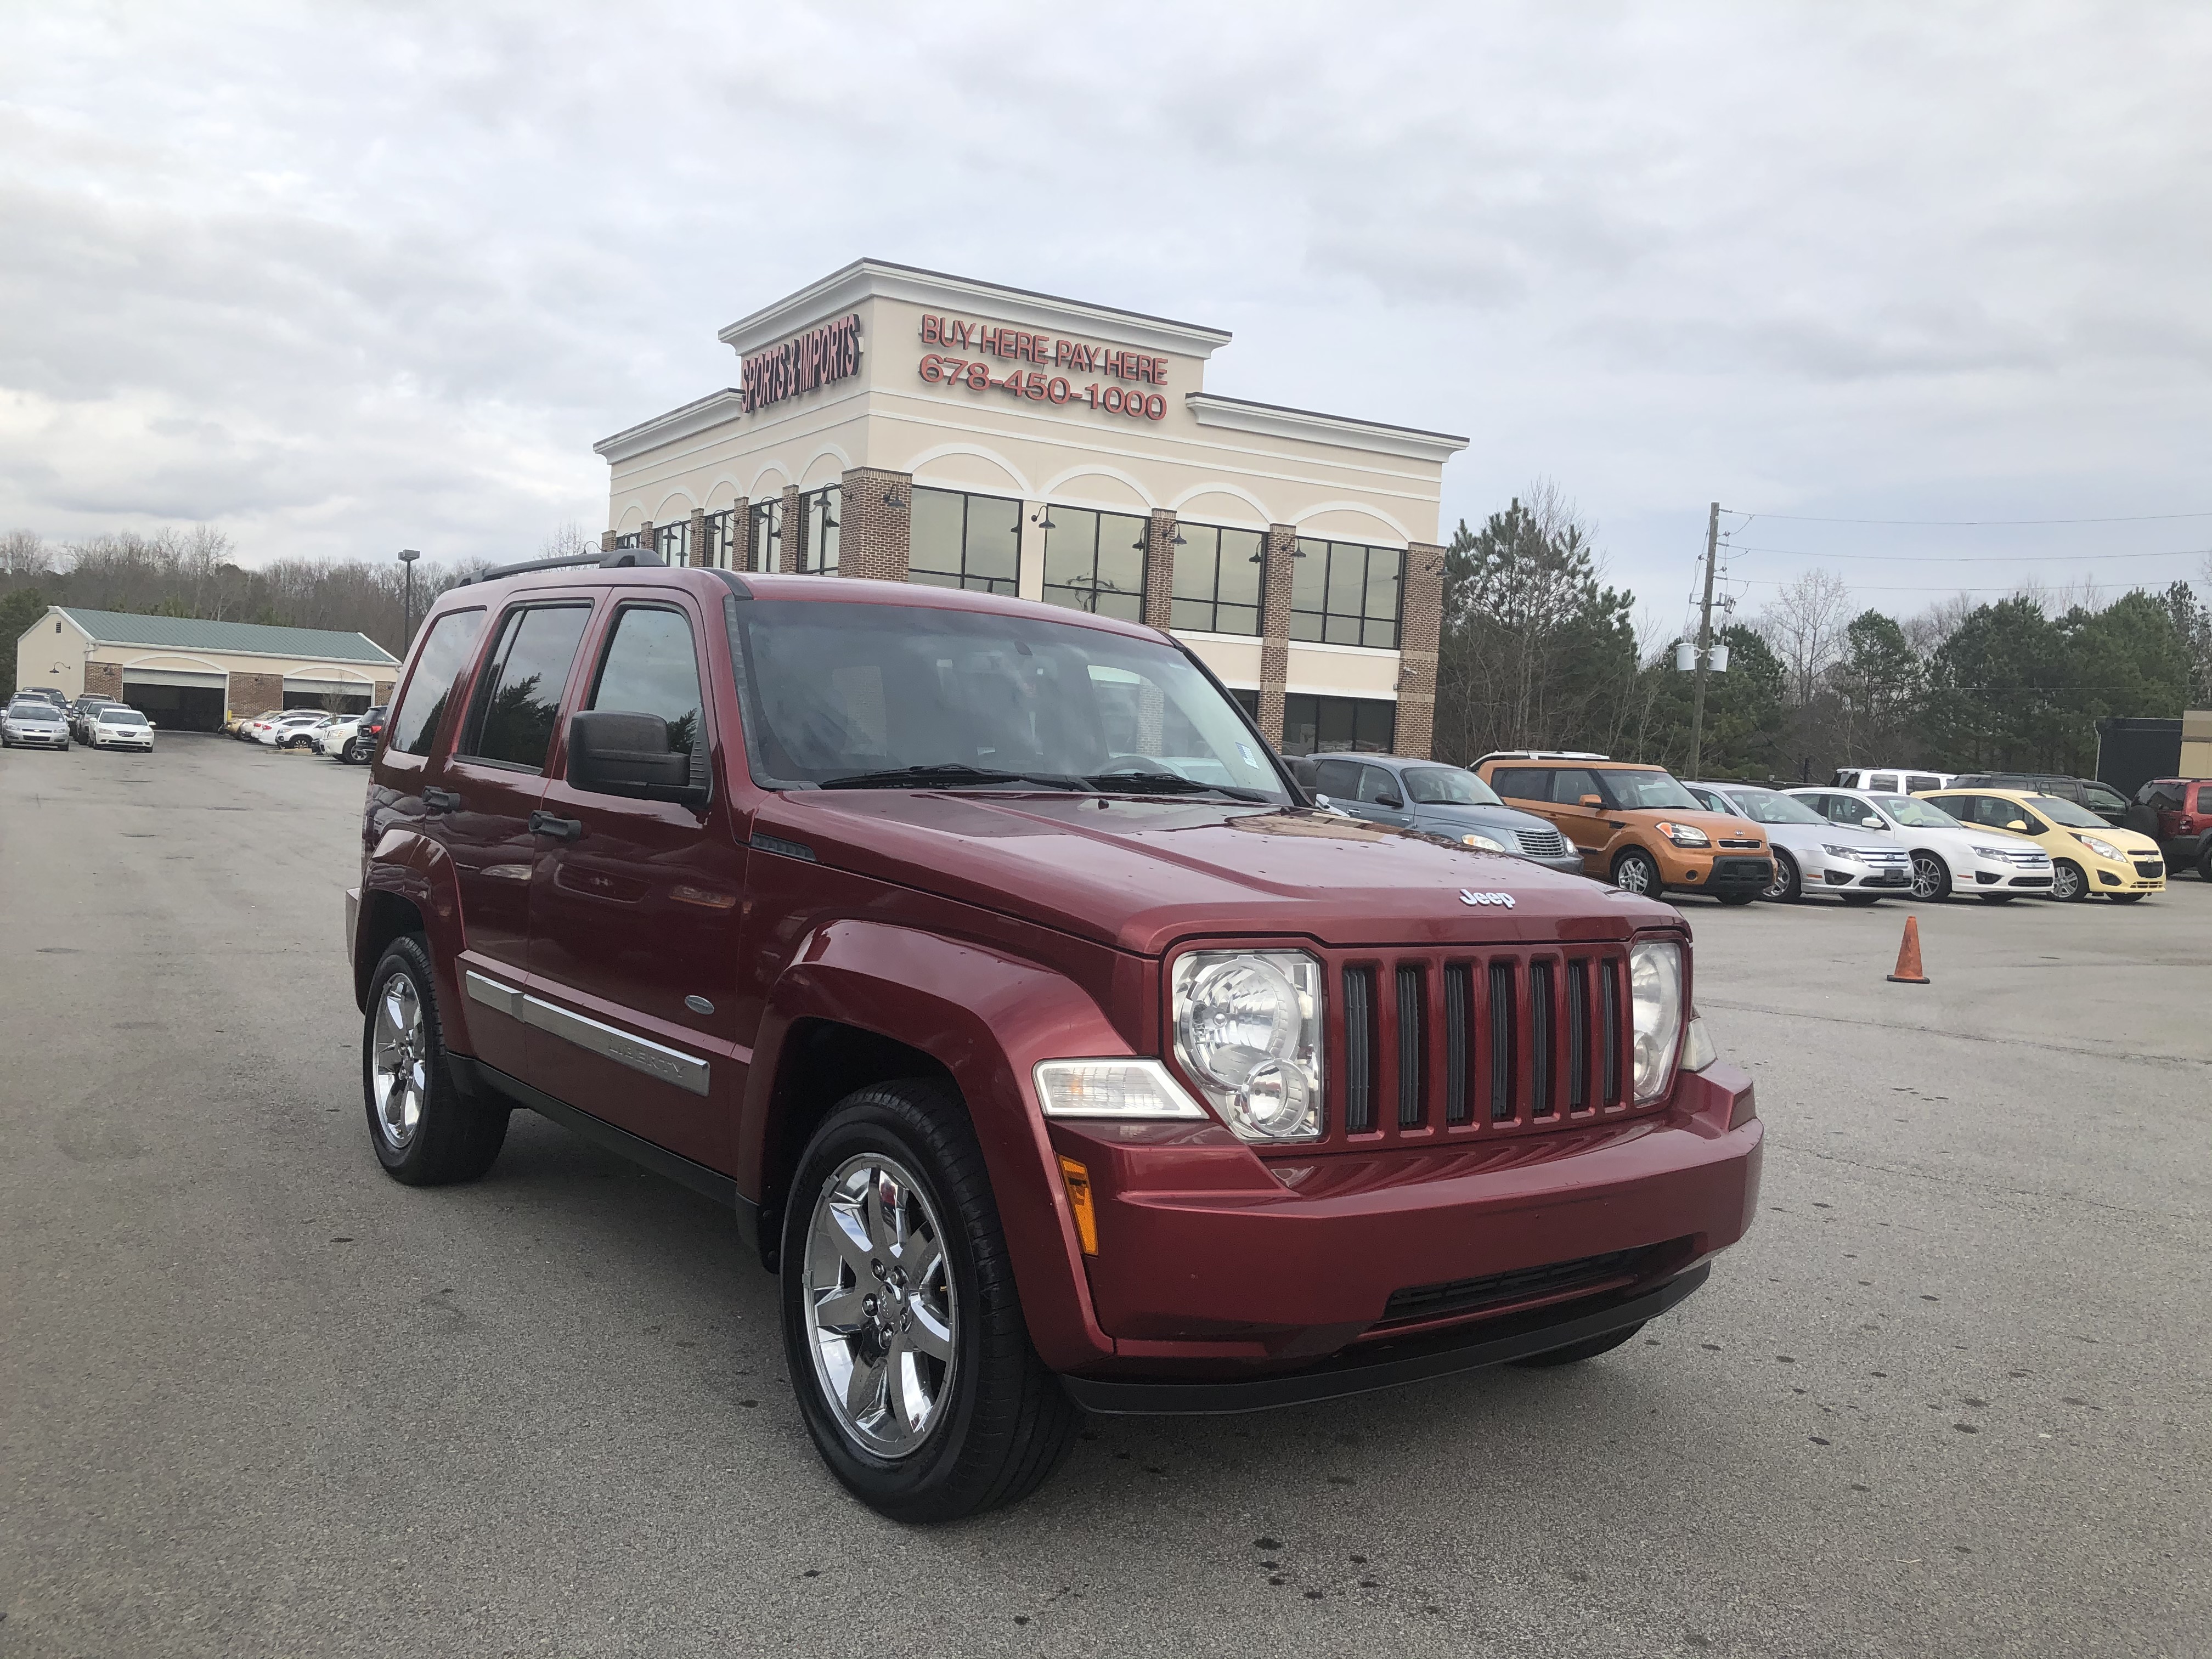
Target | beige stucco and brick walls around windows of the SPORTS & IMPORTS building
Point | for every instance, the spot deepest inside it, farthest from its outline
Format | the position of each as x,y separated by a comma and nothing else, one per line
1061,435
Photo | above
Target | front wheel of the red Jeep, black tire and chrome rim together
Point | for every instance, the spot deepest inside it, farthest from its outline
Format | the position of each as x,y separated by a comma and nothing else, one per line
901,1322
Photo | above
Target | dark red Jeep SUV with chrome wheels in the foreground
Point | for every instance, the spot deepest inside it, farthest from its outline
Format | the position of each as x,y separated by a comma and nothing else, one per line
1047,1043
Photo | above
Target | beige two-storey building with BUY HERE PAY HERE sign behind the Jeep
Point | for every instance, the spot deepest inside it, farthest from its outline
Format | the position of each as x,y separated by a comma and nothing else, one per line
910,426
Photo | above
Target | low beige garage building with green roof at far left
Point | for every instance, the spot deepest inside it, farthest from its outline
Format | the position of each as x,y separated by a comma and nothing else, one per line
185,674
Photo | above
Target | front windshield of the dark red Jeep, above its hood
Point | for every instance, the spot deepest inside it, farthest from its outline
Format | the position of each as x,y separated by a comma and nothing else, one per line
893,696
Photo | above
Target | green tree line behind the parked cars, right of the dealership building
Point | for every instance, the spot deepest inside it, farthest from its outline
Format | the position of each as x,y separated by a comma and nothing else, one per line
1538,651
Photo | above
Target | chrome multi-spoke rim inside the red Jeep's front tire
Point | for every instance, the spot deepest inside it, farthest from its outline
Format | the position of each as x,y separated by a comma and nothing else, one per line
881,1306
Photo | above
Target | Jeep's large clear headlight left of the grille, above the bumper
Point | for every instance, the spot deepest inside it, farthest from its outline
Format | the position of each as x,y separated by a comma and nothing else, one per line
1249,1036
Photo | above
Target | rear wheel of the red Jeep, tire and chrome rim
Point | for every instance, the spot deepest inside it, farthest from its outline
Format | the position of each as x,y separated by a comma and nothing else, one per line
421,1127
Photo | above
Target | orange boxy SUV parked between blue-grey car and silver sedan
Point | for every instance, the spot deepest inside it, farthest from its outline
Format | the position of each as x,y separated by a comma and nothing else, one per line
1634,824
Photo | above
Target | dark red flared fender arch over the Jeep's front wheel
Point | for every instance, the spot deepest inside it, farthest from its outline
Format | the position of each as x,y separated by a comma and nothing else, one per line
988,1019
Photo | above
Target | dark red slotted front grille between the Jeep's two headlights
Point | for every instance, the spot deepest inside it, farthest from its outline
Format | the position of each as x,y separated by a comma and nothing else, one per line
1448,1045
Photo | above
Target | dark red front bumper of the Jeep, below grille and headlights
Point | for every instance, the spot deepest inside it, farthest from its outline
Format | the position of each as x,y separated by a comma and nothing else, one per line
1220,1269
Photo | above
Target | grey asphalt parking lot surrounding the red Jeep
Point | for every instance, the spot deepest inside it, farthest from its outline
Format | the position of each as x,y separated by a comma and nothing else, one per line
1950,1397
